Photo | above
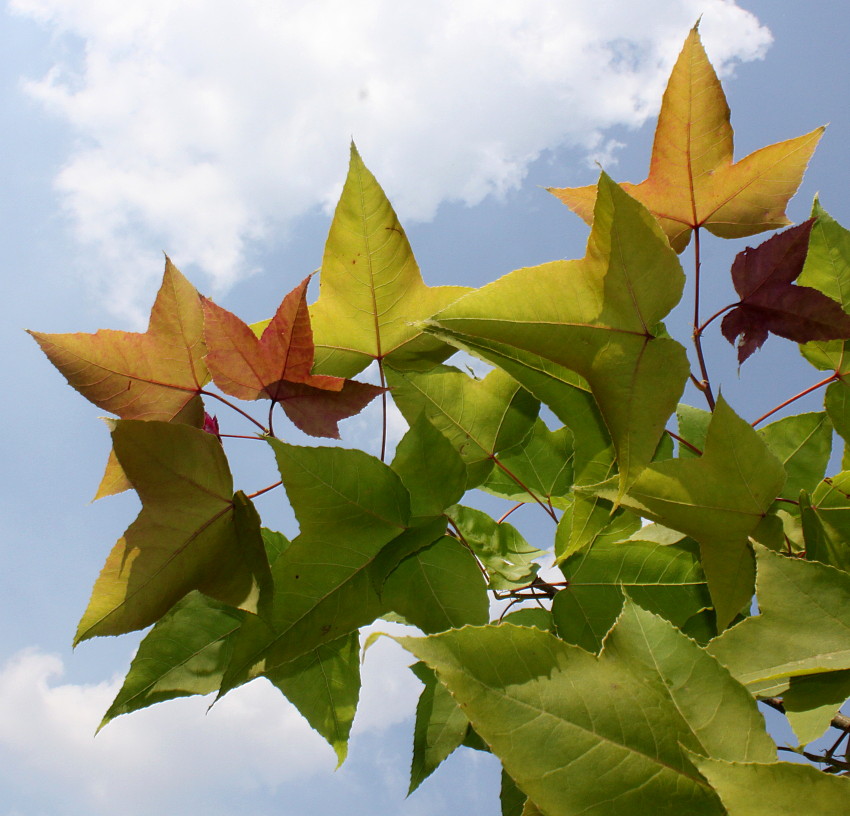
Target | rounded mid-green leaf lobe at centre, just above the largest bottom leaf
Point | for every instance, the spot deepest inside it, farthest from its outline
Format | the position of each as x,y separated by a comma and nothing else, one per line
439,587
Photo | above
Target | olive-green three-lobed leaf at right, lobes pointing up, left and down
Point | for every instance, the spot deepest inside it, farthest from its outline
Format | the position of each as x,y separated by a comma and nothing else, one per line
718,499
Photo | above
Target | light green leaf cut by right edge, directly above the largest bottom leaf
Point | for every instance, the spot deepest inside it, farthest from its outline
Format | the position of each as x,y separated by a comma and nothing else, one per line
803,628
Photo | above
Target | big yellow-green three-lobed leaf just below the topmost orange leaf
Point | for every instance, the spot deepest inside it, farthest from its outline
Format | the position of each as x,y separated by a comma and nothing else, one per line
598,316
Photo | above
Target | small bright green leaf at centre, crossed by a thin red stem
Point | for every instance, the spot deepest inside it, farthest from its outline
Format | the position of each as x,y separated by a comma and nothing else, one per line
544,464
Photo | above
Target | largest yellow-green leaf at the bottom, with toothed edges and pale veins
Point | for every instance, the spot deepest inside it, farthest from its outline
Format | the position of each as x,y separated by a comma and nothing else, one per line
536,702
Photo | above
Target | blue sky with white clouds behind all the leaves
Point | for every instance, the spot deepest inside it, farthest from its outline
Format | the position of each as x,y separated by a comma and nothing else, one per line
218,132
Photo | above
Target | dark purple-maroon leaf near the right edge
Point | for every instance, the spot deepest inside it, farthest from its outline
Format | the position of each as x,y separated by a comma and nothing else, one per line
763,278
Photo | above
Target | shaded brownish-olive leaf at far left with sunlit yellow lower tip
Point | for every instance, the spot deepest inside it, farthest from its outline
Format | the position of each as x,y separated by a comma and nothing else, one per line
192,533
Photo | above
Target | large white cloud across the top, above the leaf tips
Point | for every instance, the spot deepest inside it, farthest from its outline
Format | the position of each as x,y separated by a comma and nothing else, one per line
203,127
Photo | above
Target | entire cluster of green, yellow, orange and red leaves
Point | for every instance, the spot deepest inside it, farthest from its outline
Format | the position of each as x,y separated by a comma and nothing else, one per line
624,667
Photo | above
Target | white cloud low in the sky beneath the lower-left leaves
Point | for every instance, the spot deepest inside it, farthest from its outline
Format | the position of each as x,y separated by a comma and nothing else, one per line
173,757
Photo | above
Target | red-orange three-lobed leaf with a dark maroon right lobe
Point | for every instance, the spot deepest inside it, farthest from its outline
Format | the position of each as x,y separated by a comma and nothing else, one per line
277,366
